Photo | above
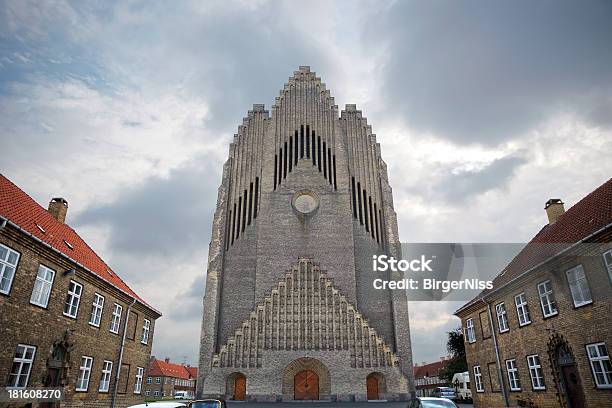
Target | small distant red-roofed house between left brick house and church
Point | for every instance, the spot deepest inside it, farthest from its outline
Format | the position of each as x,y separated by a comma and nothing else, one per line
164,379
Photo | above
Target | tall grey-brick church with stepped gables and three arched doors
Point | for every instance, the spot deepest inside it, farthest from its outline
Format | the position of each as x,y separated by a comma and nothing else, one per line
290,311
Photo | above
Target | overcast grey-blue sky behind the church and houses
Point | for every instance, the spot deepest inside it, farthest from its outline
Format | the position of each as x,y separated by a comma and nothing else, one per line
484,111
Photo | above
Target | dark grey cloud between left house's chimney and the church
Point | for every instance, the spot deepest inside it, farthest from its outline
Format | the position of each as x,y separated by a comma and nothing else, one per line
162,217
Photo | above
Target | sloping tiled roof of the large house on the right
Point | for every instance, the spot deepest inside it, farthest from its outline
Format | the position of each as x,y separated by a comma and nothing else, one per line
588,216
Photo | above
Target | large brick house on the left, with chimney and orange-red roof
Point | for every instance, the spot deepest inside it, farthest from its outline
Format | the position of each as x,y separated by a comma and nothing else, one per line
66,318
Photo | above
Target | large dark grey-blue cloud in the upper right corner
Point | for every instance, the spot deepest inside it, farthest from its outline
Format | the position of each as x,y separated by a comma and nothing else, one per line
482,72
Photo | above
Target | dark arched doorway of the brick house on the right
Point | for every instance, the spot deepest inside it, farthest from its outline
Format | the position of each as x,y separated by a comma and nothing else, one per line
567,378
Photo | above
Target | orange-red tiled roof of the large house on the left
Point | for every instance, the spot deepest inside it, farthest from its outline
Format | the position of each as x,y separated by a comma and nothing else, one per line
21,209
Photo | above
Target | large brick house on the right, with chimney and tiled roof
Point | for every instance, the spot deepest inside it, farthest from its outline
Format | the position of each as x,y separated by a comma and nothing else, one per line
542,336
